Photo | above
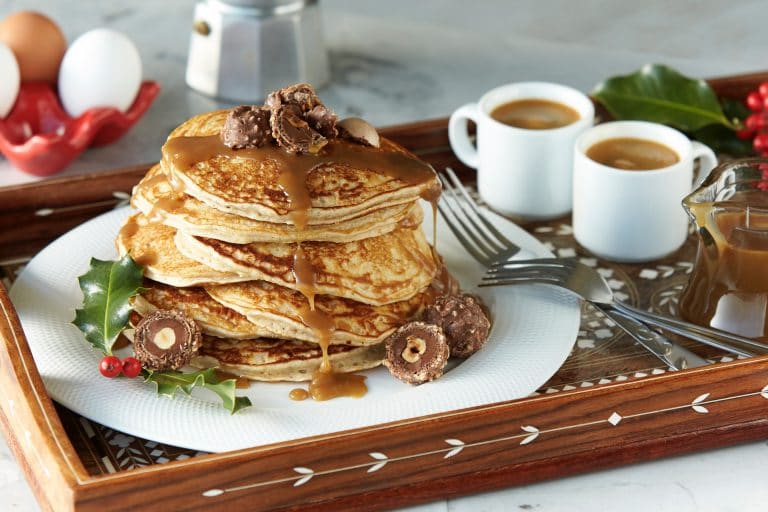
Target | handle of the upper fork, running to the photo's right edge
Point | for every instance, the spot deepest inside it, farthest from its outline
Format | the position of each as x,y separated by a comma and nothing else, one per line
713,337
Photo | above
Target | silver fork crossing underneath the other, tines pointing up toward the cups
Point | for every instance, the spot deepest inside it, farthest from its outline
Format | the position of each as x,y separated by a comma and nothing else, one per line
491,248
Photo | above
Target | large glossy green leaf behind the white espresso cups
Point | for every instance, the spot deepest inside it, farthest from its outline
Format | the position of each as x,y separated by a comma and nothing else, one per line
660,94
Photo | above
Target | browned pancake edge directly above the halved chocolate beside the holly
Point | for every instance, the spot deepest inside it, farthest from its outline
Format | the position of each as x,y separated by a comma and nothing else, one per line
214,318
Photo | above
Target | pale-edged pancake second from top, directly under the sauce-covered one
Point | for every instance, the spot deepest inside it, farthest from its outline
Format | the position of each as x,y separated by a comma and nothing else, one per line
197,218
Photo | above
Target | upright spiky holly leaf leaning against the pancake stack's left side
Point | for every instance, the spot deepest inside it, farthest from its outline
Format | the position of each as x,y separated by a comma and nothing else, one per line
107,289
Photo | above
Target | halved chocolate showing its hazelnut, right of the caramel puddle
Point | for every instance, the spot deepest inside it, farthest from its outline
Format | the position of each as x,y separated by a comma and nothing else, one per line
416,353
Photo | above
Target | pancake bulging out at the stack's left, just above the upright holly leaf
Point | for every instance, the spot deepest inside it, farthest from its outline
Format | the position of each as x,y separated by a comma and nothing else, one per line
151,245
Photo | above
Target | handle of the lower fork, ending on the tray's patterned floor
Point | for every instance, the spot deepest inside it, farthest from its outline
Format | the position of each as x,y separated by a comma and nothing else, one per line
672,354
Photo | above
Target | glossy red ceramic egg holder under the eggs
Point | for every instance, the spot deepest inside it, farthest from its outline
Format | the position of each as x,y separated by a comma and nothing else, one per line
40,138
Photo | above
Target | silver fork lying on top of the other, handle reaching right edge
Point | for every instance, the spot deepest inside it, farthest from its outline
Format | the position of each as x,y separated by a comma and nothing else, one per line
585,282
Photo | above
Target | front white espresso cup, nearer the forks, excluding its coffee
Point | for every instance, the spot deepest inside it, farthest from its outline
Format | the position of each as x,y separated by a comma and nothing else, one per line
635,215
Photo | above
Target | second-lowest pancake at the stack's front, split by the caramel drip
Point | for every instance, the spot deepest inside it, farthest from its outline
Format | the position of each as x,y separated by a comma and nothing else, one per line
279,310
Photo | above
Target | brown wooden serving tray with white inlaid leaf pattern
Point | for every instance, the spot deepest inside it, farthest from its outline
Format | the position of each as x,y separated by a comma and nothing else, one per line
610,403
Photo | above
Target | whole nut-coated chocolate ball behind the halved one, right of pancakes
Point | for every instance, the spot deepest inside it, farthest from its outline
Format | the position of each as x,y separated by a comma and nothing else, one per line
463,321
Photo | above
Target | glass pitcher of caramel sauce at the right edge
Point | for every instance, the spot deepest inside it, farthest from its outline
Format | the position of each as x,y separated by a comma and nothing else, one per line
728,288
